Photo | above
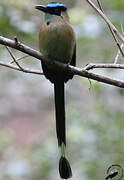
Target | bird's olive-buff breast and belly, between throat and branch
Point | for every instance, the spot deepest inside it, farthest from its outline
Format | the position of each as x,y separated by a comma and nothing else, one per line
57,40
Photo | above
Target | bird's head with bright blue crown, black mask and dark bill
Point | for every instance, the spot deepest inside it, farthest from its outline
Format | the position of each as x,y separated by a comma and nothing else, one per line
52,8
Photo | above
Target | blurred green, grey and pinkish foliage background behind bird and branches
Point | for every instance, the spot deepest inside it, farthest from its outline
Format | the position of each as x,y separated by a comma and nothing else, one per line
95,115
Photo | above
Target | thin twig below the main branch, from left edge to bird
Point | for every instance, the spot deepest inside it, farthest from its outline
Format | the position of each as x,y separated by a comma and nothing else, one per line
18,69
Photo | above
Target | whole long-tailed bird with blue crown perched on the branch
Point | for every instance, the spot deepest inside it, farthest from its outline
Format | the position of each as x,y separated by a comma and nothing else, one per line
57,42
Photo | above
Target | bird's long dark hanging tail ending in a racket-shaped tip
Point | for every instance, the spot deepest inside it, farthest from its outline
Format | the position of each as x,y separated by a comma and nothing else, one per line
64,166
